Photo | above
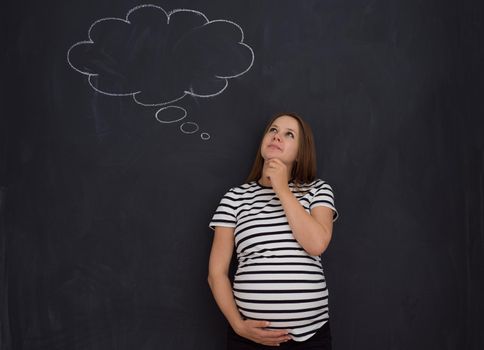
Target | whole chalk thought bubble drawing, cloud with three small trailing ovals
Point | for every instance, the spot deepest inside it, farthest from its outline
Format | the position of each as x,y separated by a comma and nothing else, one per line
159,57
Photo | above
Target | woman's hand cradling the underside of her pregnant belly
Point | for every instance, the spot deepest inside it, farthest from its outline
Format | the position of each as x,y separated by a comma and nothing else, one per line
255,331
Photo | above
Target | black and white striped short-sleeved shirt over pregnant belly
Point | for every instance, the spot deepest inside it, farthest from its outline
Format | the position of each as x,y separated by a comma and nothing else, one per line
276,279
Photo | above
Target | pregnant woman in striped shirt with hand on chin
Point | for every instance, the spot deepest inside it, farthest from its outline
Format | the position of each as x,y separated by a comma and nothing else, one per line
279,222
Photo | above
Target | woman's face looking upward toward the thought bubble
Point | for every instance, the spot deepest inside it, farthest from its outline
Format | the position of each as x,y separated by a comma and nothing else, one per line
282,140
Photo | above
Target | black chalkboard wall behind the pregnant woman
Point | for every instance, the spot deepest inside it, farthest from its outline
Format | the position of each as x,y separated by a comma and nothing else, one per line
123,123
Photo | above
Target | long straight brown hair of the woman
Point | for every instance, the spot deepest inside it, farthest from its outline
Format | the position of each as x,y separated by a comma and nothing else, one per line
304,168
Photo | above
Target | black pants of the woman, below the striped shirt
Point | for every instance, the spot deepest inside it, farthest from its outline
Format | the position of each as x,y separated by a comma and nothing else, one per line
319,341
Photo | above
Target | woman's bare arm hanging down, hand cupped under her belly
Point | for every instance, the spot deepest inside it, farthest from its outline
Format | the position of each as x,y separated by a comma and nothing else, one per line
218,279
